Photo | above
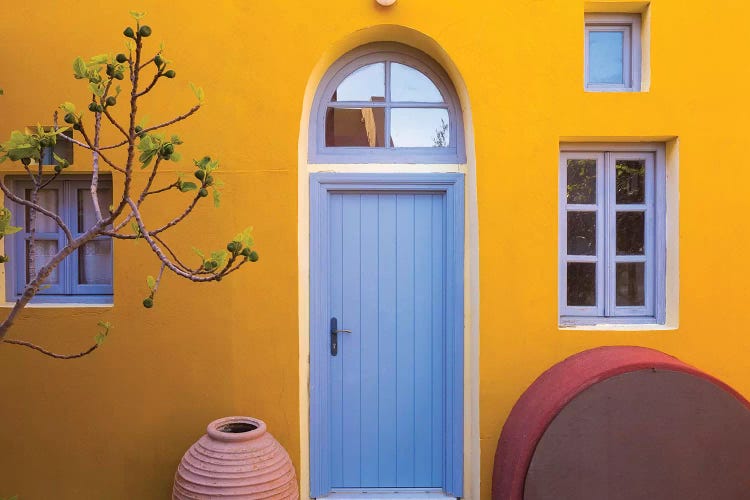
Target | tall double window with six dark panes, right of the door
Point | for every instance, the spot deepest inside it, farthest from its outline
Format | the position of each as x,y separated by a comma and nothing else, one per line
612,235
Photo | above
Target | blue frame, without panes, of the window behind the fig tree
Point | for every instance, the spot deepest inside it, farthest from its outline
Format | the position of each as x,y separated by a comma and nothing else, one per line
67,290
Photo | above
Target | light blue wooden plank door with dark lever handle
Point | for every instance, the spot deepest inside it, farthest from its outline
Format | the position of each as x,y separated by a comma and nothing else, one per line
388,419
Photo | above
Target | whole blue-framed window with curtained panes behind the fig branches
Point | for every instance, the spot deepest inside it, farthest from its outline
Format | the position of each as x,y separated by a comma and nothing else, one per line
84,276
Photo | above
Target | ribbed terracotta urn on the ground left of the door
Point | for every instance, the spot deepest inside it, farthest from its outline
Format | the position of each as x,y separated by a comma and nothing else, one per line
237,458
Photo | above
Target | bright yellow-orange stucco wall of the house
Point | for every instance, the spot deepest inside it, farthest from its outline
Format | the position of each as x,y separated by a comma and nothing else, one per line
114,425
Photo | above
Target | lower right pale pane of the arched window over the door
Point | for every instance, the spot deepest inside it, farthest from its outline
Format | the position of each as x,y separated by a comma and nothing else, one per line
419,128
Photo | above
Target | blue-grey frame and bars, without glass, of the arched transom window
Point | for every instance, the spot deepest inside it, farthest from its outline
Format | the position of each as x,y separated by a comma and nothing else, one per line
386,52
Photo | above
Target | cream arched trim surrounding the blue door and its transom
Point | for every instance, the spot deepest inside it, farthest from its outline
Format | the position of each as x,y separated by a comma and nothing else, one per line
381,33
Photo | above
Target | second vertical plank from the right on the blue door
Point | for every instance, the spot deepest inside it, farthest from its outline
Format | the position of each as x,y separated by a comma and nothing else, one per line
423,341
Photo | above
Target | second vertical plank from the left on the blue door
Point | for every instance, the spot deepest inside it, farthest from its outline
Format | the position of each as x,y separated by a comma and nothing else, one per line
349,343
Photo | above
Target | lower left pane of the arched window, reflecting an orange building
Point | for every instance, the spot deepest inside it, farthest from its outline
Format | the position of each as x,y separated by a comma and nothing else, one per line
354,127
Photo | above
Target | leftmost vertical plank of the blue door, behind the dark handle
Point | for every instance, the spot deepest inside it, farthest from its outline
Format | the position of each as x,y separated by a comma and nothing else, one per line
336,304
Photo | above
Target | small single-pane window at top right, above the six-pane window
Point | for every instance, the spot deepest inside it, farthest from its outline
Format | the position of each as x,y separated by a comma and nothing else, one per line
613,52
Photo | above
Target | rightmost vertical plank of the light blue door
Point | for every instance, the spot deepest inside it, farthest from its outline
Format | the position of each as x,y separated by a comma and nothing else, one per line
438,341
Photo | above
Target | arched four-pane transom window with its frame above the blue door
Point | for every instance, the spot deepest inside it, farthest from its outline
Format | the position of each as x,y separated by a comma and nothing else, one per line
386,103
